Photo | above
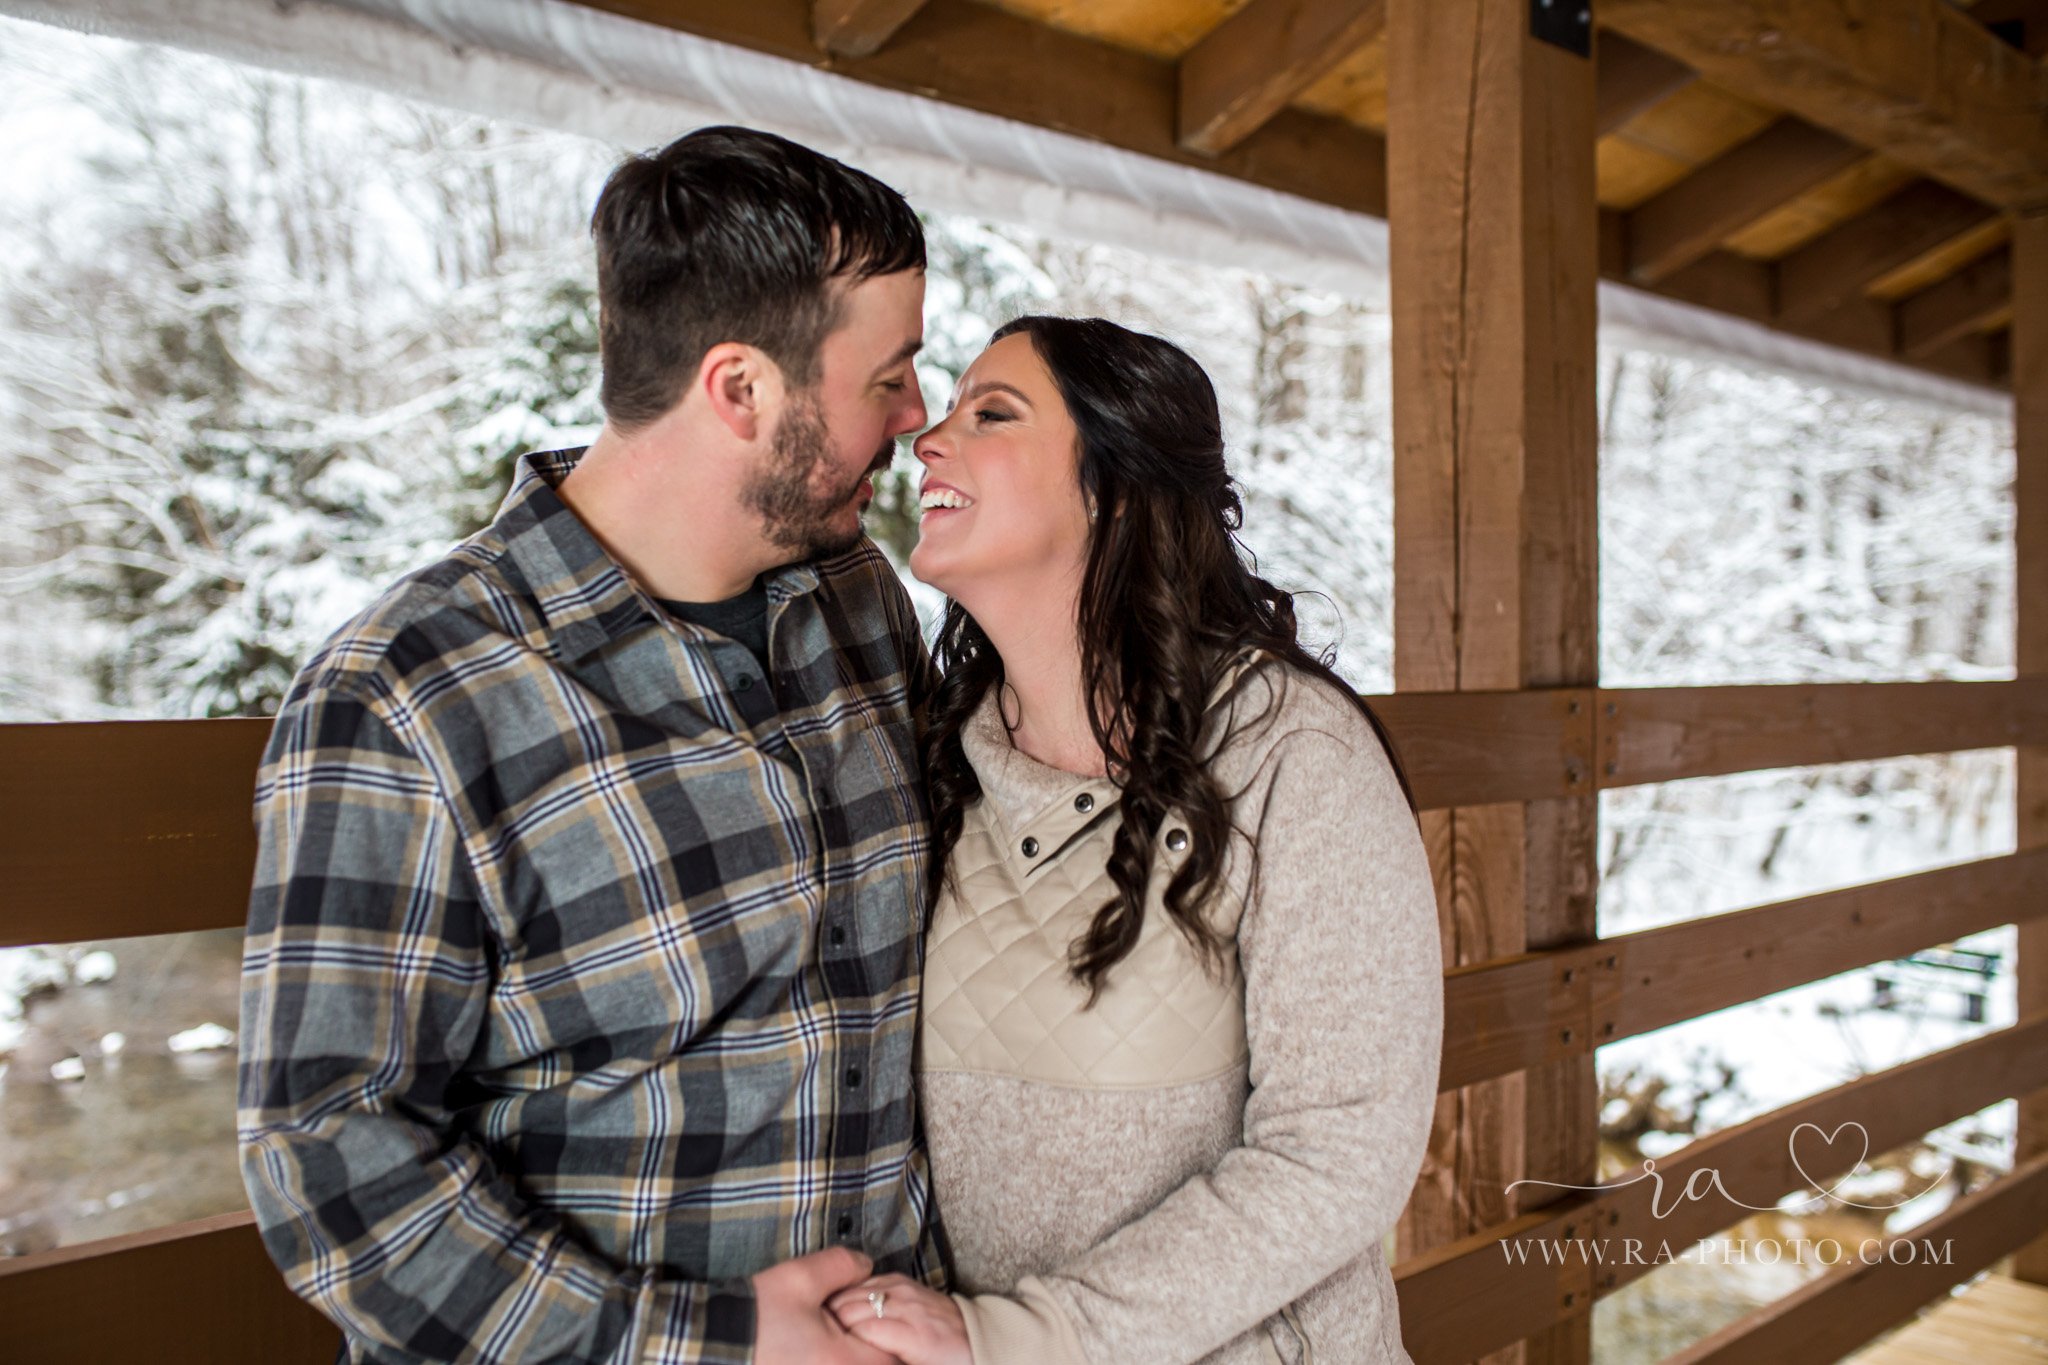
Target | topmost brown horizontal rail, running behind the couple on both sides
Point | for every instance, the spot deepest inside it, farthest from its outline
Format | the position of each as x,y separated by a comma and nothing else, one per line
128,828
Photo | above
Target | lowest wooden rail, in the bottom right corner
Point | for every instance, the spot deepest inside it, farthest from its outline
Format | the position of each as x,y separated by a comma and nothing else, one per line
1846,1307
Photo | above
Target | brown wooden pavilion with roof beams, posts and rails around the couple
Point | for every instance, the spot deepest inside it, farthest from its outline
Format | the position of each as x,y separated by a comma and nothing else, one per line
1871,175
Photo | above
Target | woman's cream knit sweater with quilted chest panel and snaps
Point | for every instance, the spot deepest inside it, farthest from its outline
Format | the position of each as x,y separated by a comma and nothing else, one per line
1195,1170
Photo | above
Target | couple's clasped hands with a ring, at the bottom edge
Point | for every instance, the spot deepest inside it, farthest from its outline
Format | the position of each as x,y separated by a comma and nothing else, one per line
816,1311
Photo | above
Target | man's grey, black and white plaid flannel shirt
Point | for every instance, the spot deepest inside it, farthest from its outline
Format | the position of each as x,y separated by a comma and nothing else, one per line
566,1006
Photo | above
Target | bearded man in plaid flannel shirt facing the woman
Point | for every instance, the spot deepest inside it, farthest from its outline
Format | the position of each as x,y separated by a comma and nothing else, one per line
583,957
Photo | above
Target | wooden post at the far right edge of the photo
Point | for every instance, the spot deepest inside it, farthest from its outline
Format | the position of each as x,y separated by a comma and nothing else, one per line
2031,640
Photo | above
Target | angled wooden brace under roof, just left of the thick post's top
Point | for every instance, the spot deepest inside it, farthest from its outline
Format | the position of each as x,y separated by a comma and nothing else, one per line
1265,56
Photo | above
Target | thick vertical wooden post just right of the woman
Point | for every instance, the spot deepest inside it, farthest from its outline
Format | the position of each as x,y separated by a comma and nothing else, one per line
1494,234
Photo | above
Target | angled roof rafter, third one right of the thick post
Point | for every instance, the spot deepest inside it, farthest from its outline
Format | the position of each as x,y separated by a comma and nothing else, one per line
1840,263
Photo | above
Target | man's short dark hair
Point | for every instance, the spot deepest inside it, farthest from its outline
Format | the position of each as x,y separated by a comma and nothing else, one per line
732,236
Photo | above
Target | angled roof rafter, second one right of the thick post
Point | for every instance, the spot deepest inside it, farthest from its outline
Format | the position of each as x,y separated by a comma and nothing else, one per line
1730,193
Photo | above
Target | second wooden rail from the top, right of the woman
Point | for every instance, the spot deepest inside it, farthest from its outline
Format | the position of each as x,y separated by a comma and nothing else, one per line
1537,1008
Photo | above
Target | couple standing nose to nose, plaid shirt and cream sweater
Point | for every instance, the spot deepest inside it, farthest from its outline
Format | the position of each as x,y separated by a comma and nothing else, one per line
654,957
